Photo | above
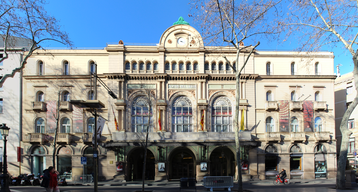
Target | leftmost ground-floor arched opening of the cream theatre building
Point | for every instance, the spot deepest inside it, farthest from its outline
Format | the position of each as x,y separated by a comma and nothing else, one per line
38,160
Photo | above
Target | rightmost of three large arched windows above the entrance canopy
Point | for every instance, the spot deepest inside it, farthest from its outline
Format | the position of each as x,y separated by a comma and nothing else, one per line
222,115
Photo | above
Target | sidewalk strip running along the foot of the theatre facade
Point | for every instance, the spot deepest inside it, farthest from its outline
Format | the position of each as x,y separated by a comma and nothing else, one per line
200,183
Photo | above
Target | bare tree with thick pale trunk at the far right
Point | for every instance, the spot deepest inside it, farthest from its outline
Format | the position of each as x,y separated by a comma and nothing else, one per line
327,24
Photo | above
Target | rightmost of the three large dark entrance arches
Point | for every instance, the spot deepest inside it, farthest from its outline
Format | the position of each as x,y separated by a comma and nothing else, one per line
222,162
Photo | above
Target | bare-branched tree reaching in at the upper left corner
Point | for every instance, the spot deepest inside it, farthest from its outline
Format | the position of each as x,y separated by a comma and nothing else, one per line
27,19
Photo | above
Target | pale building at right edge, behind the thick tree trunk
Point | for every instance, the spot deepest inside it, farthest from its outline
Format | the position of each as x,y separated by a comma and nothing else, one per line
345,93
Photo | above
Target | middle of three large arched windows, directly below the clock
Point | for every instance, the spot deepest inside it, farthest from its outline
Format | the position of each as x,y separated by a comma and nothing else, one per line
182,115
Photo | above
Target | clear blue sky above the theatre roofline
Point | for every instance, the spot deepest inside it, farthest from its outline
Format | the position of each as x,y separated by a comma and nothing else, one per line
93,24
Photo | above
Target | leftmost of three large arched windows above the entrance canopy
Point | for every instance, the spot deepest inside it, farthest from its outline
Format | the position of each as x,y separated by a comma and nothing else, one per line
141,115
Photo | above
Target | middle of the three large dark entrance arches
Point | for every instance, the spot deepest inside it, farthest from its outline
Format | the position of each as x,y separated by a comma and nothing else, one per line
182,164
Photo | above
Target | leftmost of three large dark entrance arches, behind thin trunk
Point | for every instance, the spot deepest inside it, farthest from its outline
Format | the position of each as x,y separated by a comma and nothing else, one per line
135,165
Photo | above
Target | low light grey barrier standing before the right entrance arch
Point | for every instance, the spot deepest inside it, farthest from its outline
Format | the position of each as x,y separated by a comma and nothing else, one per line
212,182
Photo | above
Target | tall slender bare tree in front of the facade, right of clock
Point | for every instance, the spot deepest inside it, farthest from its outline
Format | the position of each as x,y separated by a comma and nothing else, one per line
232,22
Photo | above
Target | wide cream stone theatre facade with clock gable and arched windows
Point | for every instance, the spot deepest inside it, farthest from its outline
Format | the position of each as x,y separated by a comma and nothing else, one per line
287,101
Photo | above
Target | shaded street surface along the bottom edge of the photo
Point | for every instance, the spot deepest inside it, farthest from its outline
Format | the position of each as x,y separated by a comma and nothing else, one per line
257,187
